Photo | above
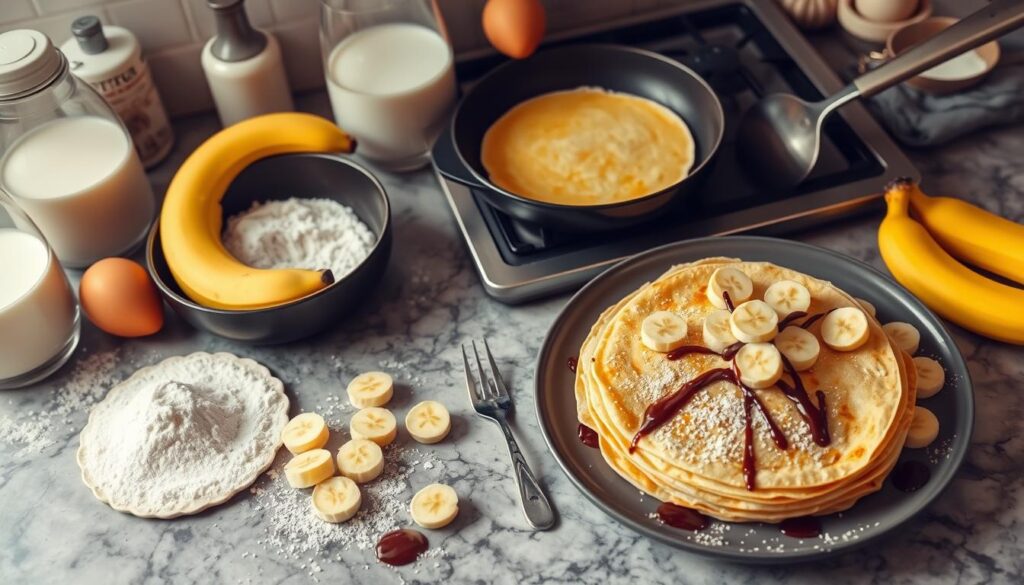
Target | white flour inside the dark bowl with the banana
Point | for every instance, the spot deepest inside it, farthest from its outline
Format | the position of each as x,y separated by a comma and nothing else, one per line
313,234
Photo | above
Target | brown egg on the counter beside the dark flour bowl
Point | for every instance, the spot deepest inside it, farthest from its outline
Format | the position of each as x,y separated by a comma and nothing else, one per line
119,298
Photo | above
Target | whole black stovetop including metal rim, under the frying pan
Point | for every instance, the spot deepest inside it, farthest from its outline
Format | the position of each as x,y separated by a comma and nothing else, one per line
745,51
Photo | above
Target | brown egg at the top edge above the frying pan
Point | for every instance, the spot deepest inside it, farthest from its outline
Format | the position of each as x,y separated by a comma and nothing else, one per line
515,27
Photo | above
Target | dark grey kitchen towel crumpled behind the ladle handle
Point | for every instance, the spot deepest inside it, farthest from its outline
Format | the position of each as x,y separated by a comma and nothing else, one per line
920,119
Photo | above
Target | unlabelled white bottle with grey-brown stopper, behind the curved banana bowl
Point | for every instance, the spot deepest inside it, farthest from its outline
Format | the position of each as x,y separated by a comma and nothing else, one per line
244,67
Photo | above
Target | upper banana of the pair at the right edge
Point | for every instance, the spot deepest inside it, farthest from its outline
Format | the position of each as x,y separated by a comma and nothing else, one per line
973,235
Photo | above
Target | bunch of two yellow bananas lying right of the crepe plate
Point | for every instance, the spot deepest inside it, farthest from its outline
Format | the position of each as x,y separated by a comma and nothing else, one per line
925,257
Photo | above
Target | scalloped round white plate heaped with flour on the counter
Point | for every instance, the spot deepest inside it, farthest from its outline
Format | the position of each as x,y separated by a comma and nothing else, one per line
183,436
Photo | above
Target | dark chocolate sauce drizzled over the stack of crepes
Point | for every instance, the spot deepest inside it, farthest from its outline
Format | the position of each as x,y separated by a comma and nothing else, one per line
664,409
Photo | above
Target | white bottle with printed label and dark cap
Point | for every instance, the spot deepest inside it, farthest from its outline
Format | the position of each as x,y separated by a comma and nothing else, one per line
110,60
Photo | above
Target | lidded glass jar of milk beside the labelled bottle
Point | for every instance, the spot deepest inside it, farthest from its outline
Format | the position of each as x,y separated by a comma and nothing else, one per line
66,158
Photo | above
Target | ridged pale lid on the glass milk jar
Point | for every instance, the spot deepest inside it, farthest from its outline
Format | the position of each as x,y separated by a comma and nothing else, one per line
28,61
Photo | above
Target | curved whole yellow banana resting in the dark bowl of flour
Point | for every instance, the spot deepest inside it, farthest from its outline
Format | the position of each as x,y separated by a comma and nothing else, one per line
192,219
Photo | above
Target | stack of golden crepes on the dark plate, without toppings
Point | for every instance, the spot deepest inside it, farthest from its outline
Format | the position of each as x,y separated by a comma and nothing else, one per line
697,458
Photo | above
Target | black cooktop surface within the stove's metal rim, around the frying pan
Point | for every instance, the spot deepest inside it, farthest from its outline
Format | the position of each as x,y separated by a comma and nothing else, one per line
742,61
